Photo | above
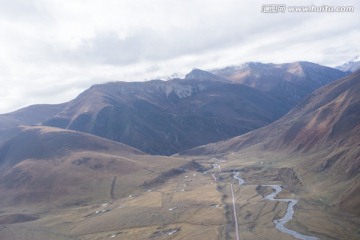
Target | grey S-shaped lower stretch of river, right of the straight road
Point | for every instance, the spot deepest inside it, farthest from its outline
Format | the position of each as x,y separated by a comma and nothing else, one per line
280,223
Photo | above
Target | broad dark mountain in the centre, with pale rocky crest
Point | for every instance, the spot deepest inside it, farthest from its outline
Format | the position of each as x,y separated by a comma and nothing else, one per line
165,117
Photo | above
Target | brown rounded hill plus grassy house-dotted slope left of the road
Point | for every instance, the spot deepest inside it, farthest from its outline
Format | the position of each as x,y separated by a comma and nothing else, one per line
65,185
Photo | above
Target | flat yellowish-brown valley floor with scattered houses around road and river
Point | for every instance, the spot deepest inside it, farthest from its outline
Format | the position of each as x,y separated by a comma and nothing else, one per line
190,205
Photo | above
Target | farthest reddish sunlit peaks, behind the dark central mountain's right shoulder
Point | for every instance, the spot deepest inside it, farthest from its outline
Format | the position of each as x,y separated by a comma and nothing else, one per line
290,81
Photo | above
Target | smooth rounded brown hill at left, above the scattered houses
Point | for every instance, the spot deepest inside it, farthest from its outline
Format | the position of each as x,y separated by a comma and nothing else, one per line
50,166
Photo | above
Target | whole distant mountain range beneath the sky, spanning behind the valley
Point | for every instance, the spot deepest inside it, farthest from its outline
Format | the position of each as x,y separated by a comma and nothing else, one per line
166,117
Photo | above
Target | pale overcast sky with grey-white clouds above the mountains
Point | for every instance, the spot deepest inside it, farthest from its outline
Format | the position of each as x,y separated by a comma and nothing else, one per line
52,50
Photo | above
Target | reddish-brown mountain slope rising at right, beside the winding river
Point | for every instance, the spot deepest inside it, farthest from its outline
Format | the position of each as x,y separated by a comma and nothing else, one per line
322,133
